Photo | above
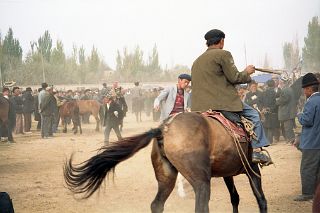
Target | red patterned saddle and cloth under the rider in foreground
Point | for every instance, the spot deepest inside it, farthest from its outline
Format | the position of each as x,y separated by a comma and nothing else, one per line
236,127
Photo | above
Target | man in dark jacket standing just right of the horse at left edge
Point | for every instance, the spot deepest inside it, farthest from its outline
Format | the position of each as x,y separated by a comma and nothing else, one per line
18,106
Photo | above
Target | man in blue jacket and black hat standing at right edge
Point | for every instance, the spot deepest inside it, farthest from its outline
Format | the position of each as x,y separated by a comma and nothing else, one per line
310,138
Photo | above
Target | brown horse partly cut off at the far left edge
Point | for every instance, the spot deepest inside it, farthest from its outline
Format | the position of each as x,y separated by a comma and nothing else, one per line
4,119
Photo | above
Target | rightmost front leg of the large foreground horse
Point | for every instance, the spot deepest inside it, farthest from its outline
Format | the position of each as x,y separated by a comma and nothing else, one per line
255,183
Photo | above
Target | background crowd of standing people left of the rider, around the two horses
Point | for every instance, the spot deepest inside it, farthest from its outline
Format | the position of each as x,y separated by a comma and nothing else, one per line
42,105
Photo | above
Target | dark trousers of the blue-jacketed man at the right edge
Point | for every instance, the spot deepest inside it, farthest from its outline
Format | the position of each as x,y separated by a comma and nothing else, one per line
309,170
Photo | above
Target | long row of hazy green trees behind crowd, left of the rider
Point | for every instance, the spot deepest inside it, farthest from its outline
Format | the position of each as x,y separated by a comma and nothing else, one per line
48,62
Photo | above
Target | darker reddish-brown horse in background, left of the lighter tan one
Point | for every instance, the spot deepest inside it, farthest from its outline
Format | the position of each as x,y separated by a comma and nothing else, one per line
70,110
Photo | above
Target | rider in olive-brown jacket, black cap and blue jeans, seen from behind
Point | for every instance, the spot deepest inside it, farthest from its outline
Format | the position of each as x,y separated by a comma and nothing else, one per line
214,80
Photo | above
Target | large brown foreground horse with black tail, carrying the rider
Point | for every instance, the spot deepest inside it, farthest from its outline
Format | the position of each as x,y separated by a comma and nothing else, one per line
196,146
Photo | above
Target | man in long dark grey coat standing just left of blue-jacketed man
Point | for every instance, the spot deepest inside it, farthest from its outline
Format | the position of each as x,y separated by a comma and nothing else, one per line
287,110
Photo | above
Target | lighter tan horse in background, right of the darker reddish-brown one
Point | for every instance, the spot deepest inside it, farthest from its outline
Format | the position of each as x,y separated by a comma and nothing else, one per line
92,107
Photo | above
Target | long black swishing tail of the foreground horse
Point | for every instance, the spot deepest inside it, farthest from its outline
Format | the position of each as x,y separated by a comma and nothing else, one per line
87,176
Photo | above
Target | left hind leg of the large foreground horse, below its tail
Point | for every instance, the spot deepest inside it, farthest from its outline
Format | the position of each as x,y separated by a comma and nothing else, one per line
166,176
